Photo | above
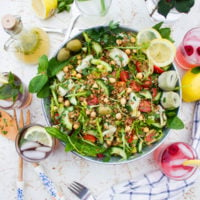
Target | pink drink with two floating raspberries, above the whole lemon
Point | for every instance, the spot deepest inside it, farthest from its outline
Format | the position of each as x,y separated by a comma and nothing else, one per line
188,53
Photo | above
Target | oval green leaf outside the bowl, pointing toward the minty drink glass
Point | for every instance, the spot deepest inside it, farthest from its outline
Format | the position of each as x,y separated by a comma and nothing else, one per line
37,83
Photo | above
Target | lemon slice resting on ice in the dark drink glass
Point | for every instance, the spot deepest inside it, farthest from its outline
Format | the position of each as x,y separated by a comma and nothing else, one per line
38,134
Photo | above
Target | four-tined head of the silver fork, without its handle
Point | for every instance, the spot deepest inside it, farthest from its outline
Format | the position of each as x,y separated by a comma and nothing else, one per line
78,189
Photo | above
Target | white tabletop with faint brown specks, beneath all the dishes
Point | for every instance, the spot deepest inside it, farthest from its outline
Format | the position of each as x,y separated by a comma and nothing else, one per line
61,167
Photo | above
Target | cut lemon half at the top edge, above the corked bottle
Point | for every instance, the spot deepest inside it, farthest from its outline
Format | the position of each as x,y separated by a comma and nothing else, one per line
44,8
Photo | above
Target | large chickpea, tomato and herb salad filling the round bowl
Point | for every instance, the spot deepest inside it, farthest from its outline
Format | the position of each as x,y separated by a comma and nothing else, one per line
106,98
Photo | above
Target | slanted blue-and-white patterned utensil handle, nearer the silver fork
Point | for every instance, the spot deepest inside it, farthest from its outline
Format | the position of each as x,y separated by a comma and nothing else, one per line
47,182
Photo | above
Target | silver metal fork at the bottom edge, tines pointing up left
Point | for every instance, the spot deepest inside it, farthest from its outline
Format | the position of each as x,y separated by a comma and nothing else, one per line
81,191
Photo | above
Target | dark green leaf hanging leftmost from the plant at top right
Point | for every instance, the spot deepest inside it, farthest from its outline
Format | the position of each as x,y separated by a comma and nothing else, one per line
165,6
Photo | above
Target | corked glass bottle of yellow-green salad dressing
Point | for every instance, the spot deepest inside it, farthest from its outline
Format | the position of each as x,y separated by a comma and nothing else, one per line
27,44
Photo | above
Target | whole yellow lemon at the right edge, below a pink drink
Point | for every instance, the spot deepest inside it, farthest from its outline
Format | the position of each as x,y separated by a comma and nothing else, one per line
190,86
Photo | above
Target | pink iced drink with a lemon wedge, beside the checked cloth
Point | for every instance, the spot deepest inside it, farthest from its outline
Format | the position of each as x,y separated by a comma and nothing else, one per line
170,160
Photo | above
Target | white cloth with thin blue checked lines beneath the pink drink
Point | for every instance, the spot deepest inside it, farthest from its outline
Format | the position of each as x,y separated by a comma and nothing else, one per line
155,185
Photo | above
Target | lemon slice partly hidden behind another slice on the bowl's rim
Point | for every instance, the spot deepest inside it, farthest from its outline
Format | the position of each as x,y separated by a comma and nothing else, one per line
146,35
